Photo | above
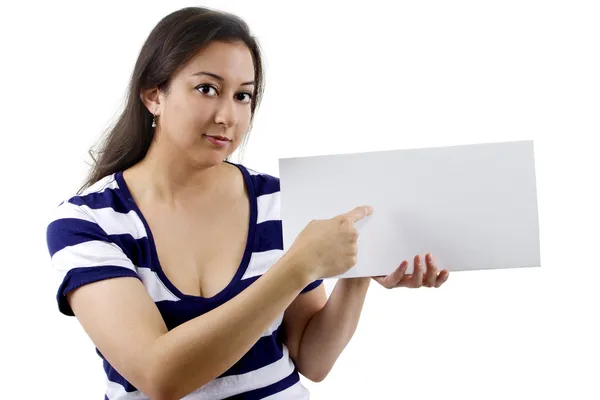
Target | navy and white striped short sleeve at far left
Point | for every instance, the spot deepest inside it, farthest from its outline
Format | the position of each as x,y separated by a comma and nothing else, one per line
82,252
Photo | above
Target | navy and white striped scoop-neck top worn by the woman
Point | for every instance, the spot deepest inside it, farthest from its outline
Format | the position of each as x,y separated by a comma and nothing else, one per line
102,234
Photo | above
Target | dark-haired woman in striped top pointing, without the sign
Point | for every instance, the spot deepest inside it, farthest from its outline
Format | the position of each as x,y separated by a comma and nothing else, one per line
171,255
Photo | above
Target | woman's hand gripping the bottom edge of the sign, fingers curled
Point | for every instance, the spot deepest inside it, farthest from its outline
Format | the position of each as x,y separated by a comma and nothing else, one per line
428,278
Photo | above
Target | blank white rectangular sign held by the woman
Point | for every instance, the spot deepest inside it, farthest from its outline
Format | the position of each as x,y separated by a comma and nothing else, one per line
474,207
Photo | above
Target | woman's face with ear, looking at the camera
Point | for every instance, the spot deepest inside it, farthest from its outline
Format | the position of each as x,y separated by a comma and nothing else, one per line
206,113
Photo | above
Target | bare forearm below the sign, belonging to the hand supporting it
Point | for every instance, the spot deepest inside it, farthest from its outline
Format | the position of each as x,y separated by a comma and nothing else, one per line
330,329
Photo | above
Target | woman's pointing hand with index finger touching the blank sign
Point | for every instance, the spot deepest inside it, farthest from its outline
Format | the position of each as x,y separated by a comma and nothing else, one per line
329,247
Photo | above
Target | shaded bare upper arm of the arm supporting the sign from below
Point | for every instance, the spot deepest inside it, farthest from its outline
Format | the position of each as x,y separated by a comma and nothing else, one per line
298,315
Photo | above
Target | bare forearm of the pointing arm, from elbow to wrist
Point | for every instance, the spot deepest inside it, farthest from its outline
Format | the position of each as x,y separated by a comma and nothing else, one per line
199,350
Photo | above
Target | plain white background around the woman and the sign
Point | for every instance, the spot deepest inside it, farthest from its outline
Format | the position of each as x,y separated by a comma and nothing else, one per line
341,77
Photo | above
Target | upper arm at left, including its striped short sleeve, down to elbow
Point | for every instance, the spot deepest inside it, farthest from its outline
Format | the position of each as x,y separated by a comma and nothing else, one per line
100,286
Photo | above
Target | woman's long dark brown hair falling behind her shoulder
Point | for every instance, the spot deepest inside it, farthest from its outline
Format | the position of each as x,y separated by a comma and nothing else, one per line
173,42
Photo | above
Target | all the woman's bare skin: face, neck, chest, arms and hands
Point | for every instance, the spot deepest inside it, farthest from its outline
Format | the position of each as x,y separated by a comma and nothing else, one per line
183,180
